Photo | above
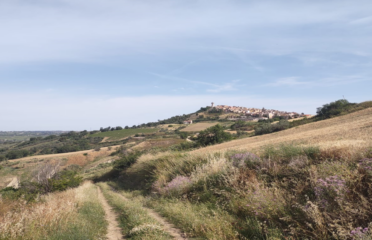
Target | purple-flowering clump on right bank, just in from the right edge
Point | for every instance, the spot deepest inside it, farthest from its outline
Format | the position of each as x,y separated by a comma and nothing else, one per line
330,189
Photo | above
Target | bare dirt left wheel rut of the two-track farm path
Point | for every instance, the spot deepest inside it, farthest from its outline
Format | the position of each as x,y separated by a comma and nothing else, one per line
113,230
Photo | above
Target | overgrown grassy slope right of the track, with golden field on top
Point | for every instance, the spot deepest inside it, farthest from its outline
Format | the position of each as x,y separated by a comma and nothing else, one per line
273,197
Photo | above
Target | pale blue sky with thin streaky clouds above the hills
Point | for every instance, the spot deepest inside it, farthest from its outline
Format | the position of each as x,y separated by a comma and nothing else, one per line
86,64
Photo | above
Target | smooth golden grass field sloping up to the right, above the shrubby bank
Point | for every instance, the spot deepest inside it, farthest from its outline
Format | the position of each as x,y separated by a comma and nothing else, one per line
352,130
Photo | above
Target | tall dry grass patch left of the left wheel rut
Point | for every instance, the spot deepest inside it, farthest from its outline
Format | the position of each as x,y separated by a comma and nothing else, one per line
72,214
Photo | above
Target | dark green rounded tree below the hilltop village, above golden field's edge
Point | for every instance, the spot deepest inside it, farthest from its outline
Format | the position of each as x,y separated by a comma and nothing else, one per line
213,135
